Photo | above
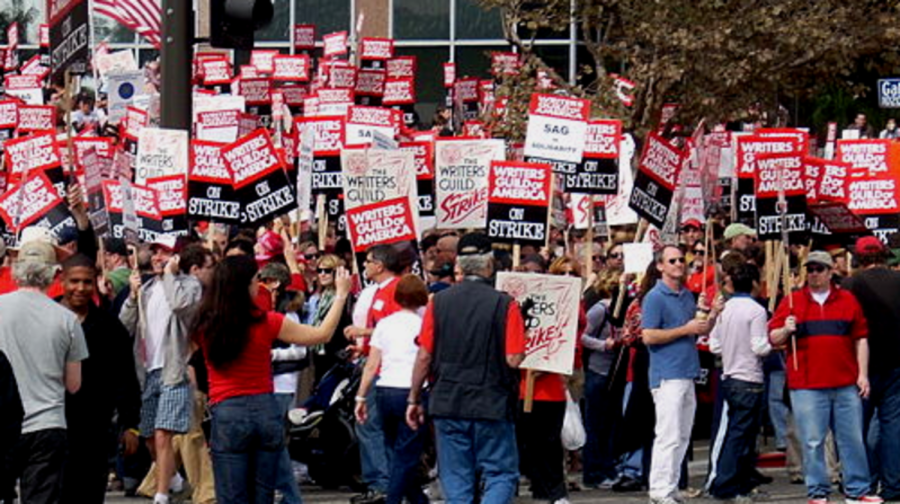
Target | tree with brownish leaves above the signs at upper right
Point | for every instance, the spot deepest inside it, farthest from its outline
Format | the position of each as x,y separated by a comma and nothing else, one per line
716,59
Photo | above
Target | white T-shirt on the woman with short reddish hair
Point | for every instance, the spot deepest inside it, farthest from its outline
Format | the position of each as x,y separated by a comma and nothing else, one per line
395,336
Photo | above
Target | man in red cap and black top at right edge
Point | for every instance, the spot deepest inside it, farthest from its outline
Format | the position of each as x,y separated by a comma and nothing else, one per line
878,290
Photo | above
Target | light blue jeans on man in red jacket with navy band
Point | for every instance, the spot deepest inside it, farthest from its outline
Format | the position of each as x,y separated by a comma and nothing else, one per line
841,408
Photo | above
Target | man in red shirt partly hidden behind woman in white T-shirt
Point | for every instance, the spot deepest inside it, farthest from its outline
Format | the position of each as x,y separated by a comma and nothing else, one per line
383,267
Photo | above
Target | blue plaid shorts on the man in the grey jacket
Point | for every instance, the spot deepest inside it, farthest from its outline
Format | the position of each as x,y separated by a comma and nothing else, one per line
165,407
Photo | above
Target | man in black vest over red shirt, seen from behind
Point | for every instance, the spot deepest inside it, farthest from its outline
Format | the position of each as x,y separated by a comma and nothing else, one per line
472,341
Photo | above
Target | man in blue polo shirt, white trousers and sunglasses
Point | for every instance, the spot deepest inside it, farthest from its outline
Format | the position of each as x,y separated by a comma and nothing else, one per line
669,328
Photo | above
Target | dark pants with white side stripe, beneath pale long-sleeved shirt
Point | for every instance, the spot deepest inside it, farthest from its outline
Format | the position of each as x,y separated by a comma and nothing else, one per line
735,467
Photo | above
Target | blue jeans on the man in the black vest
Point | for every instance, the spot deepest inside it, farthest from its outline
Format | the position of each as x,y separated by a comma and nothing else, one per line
469,447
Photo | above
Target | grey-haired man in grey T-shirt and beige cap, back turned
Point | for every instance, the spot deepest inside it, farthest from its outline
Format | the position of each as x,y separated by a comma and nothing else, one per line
45,346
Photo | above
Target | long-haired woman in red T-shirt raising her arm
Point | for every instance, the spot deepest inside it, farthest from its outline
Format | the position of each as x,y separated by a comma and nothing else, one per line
236,338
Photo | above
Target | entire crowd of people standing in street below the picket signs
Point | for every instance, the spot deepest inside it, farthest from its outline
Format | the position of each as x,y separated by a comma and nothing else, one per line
192,352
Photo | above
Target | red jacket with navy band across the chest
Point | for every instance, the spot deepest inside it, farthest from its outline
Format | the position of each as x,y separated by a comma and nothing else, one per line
826,339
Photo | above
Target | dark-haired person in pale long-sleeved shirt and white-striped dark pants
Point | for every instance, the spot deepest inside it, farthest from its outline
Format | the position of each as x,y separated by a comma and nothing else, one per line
741,337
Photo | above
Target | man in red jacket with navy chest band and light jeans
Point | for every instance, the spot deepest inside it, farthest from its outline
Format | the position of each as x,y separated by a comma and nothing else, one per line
827,377
